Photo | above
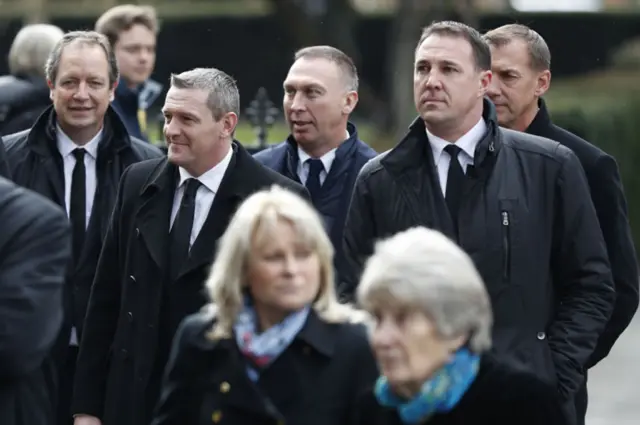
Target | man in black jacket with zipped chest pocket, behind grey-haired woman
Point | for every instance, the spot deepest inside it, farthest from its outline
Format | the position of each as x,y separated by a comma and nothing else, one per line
518,204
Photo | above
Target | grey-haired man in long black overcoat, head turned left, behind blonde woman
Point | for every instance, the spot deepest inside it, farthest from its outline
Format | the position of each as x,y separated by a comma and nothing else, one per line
160,243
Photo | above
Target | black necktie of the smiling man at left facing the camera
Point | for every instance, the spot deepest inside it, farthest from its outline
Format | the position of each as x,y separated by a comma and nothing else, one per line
78,204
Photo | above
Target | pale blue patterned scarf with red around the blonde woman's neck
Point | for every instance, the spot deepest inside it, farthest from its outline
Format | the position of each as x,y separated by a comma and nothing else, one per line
262,349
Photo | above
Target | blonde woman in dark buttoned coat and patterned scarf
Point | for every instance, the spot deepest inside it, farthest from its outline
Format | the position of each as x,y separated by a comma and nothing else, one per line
274,347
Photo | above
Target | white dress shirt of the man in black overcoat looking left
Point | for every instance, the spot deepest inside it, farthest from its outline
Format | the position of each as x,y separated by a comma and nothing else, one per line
204,196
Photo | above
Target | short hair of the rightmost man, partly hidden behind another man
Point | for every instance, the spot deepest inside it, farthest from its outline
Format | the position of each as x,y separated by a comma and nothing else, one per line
539,54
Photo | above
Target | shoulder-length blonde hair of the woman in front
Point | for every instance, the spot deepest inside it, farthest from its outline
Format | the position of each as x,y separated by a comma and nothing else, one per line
259,213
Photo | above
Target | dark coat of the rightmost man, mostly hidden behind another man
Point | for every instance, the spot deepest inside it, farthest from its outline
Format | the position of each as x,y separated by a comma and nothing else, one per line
611,206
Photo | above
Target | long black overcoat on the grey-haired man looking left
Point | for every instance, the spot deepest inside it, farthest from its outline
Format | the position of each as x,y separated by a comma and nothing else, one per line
116,377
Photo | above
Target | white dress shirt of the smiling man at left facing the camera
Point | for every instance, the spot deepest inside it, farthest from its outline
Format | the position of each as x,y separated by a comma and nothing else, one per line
66,146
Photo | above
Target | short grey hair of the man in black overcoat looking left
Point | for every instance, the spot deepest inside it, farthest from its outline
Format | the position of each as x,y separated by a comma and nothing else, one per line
223,97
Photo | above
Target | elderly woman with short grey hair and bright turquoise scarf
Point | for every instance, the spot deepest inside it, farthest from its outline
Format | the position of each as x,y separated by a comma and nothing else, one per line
431,335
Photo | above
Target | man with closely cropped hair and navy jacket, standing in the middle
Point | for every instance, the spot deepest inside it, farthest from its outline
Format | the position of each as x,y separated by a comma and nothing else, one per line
323,151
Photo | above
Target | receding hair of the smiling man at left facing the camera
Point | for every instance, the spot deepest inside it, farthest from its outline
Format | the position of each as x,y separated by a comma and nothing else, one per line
90,38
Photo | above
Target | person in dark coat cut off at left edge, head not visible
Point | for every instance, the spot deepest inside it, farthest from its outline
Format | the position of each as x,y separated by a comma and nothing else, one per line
36,245
